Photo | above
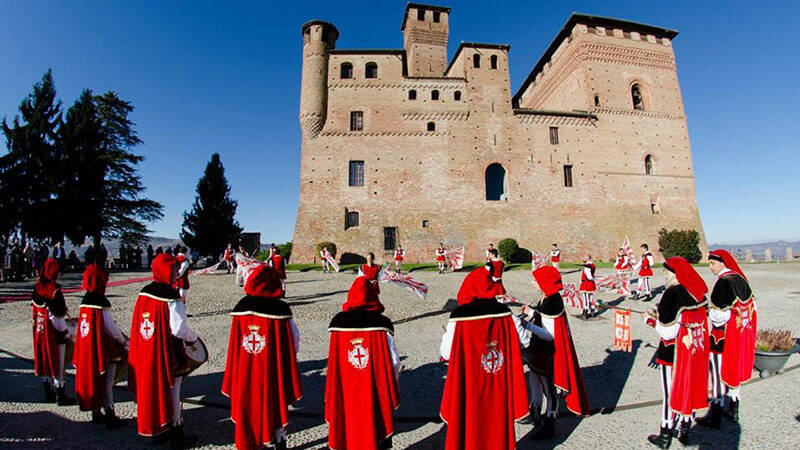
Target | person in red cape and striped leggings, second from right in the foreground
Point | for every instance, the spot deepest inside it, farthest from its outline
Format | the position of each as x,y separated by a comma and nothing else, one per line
682,353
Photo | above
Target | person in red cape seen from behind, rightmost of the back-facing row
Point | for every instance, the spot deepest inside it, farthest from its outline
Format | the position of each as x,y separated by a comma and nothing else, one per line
485,391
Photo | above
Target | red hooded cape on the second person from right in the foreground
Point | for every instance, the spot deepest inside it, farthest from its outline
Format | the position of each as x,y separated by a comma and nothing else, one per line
690,370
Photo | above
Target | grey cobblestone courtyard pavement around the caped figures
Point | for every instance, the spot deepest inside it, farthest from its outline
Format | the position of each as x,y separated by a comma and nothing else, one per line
619,384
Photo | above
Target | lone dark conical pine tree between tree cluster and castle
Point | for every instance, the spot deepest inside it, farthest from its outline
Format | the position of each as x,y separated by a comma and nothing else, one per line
211,224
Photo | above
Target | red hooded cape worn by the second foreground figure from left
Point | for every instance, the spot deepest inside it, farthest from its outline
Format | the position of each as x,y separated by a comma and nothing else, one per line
93,347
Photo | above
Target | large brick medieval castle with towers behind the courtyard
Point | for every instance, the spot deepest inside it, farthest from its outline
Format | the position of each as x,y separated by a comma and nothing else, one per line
403,146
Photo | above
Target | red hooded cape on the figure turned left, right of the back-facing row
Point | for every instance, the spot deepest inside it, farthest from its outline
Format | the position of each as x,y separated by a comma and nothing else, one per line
567,374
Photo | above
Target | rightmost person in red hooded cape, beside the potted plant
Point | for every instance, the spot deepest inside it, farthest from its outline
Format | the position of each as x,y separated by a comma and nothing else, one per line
734,317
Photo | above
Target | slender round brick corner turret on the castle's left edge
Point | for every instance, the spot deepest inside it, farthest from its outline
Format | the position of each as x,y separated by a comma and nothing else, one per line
318,38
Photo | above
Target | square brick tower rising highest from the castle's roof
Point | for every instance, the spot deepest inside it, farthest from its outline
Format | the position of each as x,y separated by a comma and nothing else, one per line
425,31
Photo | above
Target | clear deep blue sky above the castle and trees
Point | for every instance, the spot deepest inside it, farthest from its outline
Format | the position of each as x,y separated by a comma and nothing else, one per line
211,77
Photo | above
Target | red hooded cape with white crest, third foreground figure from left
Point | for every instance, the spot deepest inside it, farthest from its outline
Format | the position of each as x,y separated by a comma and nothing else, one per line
154,352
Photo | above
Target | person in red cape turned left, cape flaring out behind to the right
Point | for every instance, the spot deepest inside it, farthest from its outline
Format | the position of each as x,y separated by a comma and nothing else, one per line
561,376
